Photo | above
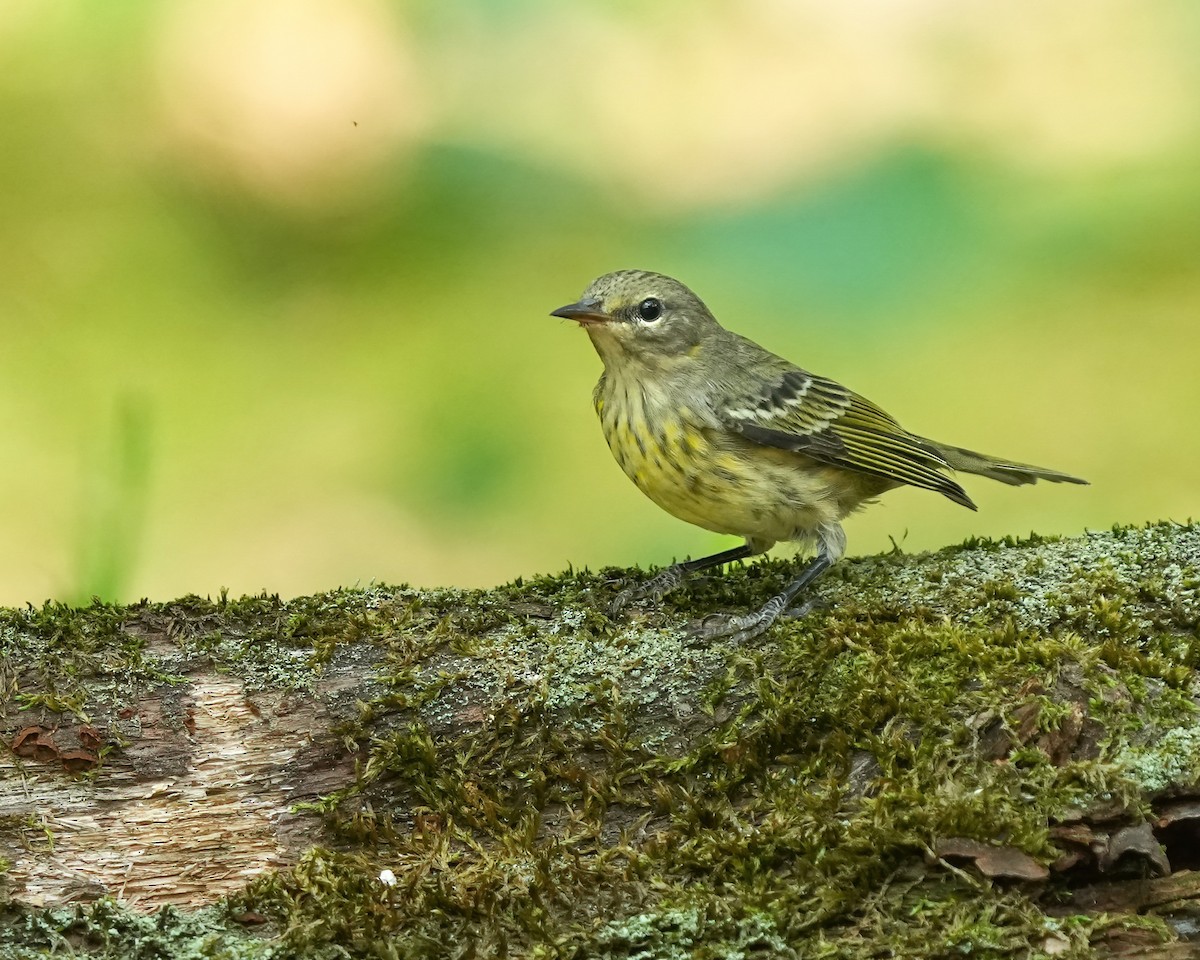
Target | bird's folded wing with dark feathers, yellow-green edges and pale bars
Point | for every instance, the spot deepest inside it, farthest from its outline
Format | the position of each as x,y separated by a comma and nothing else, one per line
823,419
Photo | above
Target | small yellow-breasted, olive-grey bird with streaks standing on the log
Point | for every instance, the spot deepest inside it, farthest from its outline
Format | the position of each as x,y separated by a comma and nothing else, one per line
723,434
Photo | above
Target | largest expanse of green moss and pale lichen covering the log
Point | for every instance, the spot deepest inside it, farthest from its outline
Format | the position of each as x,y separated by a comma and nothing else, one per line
544,782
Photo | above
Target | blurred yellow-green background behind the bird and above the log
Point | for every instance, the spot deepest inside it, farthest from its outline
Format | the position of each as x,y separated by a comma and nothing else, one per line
275,274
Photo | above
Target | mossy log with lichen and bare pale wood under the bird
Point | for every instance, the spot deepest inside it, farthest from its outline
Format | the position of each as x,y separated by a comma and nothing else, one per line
993,751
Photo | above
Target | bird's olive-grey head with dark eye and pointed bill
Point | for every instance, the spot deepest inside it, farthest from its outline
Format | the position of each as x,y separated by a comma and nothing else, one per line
639,316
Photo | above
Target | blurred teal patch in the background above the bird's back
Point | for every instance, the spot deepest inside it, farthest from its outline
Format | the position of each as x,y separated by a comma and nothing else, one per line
903,230
